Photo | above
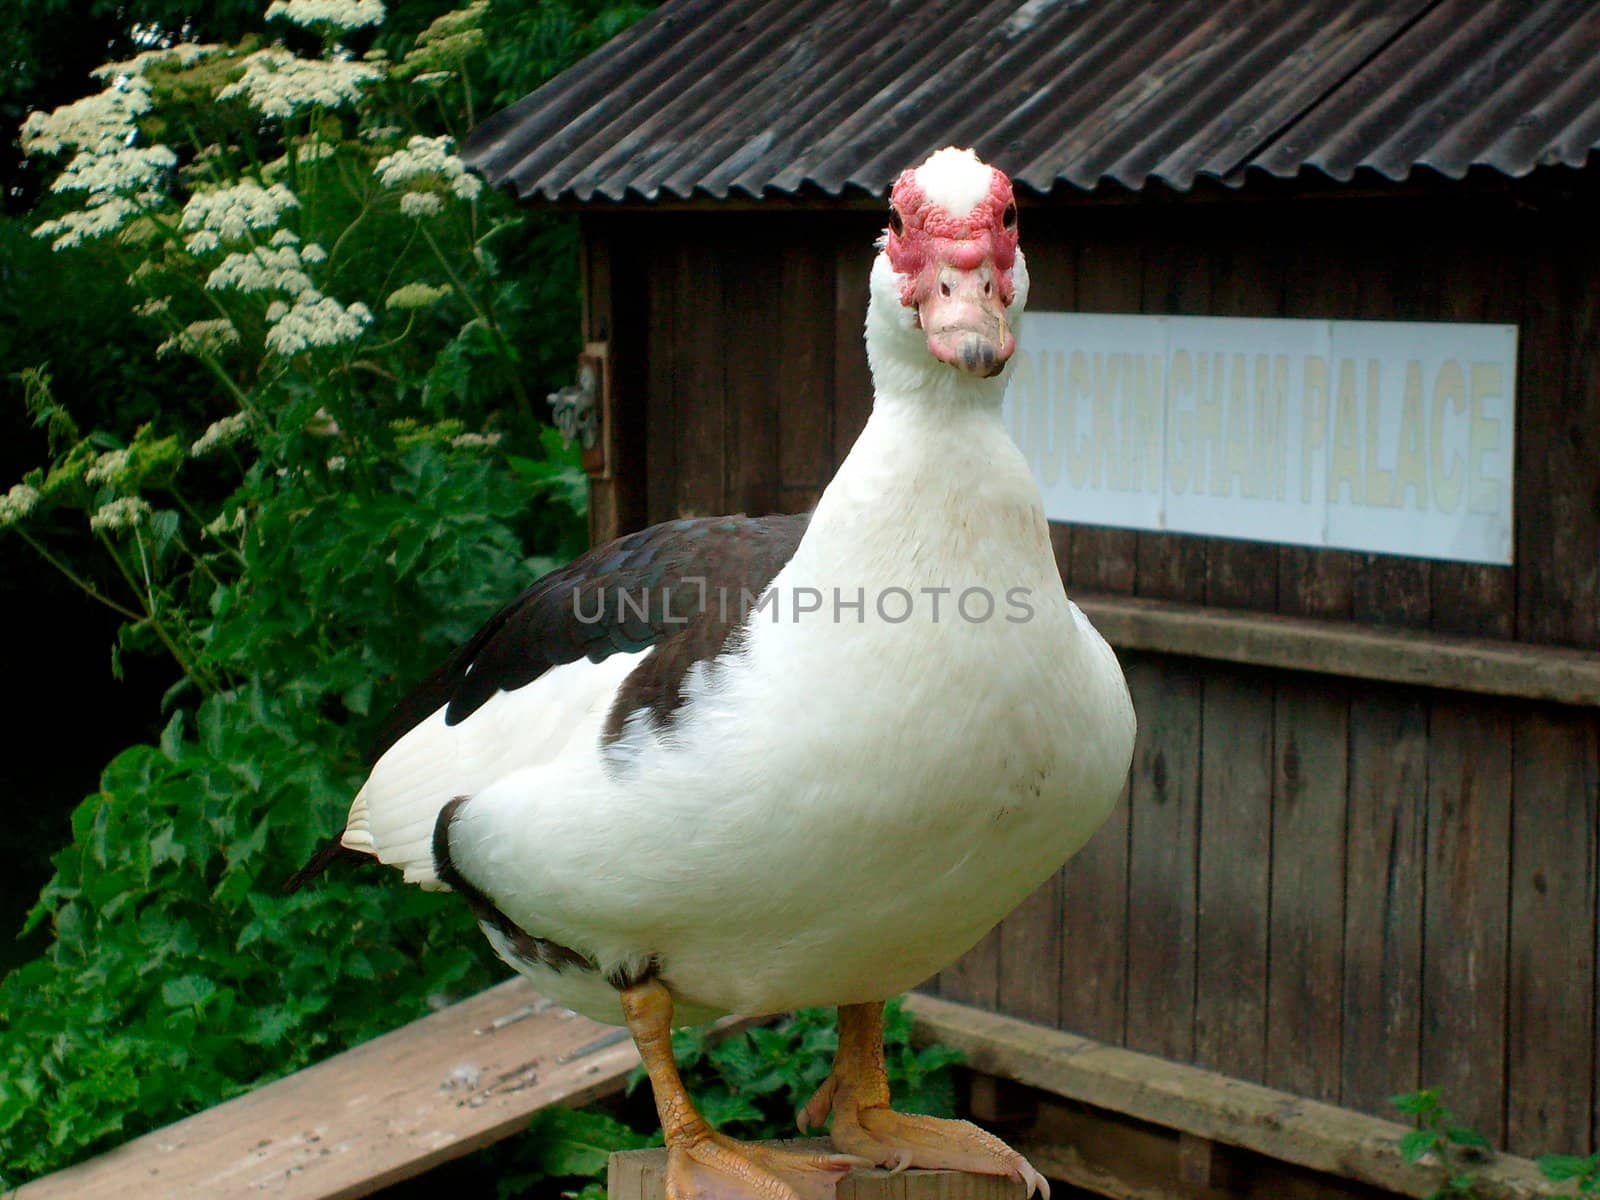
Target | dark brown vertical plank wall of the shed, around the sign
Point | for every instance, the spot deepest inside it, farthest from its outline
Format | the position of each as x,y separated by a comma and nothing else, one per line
1338,889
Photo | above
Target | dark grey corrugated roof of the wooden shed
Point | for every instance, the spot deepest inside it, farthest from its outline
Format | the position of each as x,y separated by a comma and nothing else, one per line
714,98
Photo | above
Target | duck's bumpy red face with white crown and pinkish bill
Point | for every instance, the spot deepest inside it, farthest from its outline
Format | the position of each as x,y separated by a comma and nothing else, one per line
953,242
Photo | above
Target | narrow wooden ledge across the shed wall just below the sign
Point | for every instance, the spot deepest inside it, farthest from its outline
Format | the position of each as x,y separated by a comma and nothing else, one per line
1418,658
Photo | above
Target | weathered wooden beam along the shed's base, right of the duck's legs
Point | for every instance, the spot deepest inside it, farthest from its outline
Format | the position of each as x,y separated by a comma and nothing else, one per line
1204,1105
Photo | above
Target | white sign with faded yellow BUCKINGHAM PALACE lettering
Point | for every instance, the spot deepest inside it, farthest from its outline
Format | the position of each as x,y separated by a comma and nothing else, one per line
1364,436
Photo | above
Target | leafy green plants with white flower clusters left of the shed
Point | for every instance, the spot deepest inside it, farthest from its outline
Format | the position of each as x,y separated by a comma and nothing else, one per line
350,497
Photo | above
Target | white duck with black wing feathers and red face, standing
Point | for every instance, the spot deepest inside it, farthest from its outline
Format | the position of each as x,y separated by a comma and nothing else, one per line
748,766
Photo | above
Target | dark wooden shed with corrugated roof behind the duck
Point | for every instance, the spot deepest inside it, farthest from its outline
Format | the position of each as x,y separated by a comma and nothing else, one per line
1359,849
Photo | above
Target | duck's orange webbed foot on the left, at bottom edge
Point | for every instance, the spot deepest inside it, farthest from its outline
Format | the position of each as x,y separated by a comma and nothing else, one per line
716,1167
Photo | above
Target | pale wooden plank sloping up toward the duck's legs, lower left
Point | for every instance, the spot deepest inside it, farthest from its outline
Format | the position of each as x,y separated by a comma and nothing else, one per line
385,1111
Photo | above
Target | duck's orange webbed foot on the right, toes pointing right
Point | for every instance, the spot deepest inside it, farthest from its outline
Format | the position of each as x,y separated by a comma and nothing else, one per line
898,1140
